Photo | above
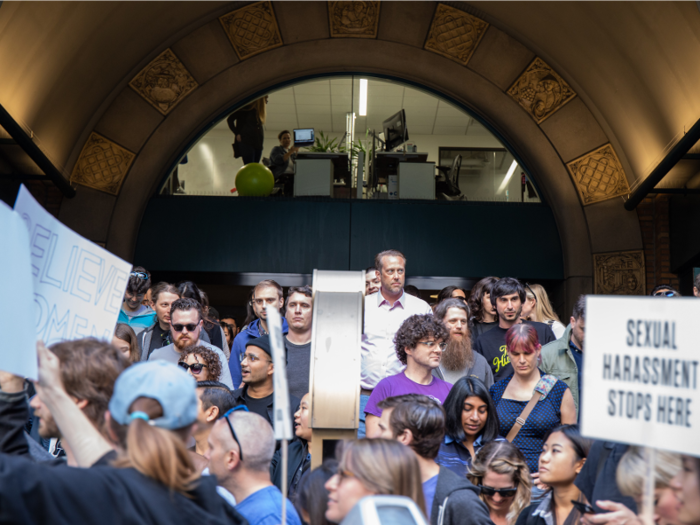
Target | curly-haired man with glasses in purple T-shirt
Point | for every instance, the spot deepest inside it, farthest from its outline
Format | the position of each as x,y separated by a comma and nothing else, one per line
419,344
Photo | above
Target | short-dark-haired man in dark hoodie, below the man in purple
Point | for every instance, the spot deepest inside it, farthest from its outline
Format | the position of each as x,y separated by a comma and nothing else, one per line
419,423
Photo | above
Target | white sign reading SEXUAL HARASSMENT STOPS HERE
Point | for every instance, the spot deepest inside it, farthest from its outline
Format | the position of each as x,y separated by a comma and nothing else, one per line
640,374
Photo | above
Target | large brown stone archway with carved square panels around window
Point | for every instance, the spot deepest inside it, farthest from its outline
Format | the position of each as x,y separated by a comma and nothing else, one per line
194,80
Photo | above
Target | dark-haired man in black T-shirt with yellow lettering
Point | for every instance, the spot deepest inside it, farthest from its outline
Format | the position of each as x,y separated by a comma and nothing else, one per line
508,296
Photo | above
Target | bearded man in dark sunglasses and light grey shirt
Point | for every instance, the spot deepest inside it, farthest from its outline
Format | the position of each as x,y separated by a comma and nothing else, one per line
185,330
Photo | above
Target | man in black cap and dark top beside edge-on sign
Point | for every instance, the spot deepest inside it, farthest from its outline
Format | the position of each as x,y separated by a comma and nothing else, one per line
257,393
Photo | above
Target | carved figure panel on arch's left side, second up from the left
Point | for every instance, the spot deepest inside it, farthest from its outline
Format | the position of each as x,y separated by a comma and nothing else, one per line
164,82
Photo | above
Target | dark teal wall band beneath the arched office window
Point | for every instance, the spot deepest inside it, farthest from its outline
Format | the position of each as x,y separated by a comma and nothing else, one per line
451,239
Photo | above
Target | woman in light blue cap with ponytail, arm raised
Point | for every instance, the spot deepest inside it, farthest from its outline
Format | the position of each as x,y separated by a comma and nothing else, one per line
150,478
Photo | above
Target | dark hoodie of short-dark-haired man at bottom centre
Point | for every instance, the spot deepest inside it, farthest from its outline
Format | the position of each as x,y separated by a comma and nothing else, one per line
457,502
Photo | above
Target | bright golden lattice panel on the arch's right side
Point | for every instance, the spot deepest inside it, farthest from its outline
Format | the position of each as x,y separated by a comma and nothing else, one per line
598,175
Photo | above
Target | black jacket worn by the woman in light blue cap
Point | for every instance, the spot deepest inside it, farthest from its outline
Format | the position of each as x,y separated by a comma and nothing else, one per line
50,493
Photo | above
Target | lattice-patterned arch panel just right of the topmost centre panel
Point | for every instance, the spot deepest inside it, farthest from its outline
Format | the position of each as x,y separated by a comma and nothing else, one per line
455,34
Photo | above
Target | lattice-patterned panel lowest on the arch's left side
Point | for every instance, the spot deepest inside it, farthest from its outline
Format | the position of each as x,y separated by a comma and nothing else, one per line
102,165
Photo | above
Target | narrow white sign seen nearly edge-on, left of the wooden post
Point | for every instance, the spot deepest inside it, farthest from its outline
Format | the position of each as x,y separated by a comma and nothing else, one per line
282,417
